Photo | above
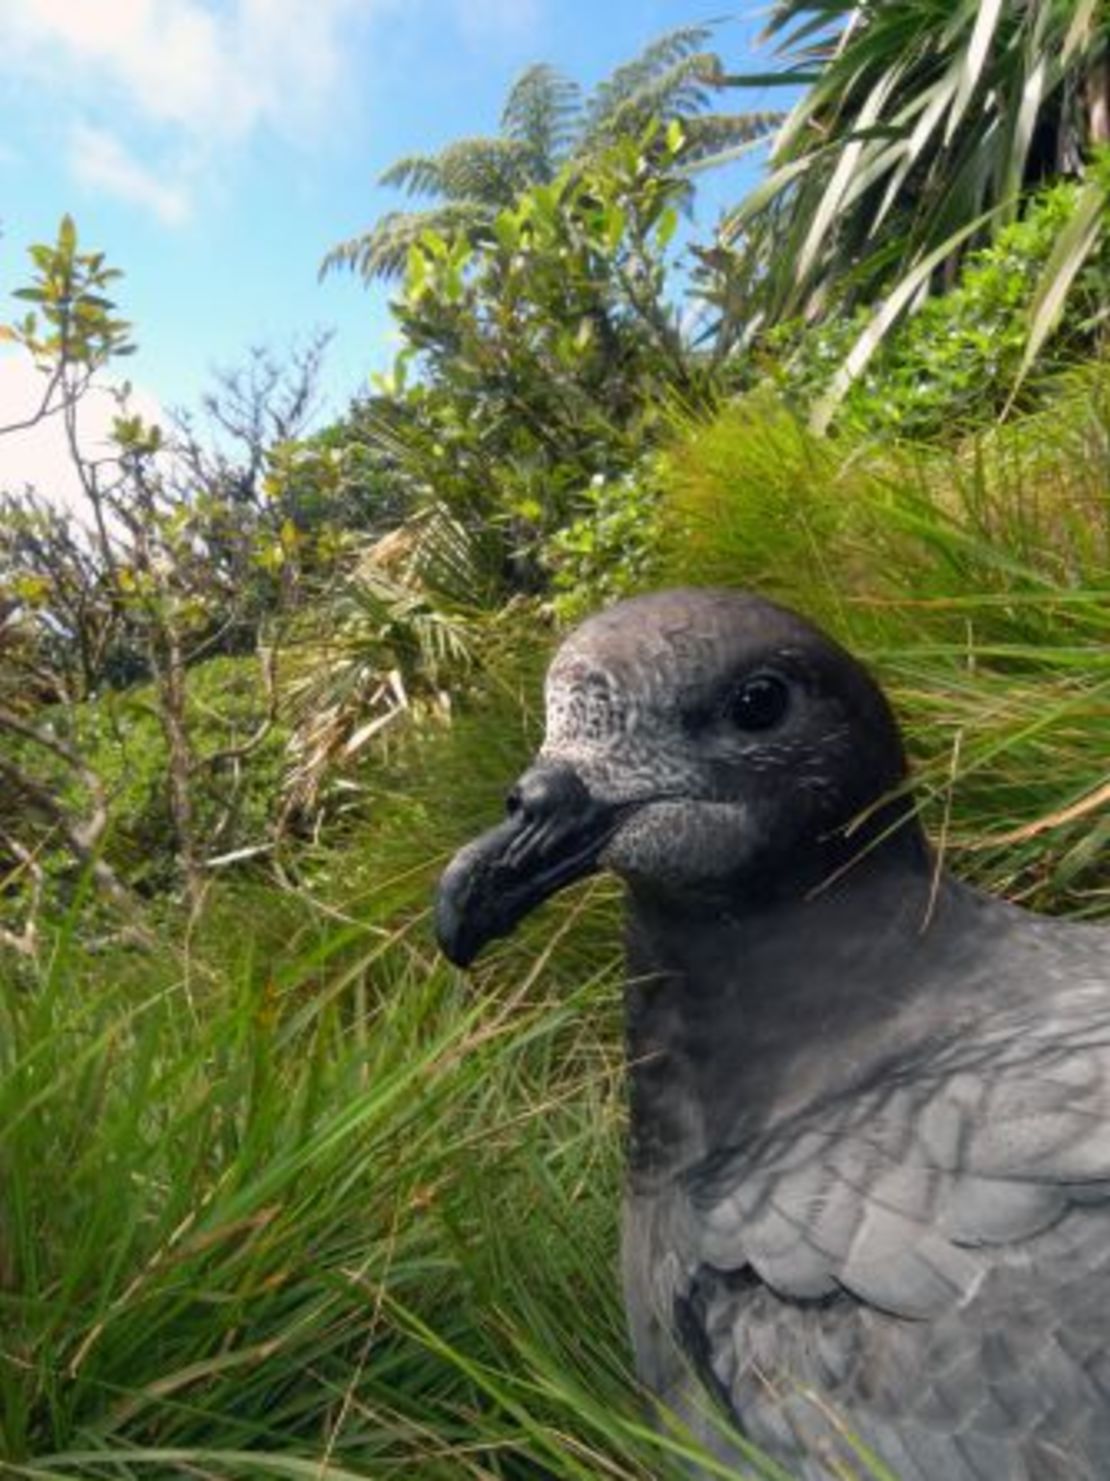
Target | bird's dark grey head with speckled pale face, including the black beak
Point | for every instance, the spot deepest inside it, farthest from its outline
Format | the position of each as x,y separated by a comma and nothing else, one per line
705,746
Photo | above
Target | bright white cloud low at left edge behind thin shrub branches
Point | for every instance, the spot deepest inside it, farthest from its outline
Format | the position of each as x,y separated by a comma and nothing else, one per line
41,455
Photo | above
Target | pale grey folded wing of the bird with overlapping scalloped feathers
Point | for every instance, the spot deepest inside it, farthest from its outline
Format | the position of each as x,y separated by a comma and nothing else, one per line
921,1258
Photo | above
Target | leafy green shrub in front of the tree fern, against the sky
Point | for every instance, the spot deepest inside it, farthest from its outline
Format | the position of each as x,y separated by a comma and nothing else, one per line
546,350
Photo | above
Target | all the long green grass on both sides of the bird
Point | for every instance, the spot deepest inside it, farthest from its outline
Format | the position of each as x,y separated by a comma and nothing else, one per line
291,1199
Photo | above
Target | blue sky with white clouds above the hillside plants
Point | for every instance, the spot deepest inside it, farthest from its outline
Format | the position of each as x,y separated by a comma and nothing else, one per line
217,149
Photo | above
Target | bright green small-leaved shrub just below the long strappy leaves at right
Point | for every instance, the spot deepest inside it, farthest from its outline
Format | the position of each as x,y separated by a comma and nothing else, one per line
957,362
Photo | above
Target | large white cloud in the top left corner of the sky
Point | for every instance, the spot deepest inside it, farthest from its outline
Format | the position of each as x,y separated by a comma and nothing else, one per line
195,76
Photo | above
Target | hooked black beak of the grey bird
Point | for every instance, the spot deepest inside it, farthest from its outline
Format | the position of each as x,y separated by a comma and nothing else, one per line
554,835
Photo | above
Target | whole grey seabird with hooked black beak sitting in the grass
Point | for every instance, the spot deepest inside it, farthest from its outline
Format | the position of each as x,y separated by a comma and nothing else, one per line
871,1109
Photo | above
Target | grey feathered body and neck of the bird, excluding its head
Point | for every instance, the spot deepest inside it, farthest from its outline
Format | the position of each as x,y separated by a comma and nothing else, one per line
891,1214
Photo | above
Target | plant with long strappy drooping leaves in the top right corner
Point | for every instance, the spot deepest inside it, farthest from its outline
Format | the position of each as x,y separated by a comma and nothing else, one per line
918,136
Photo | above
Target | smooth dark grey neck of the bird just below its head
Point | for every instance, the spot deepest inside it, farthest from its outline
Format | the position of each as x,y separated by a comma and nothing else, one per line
739,1017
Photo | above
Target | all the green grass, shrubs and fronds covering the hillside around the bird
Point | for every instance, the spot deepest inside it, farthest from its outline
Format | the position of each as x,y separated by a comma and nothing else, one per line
284,1196
